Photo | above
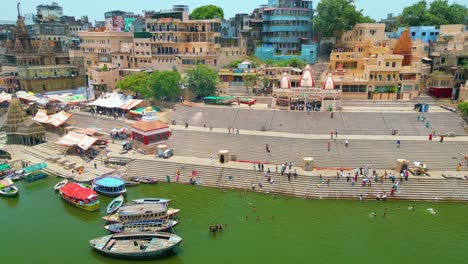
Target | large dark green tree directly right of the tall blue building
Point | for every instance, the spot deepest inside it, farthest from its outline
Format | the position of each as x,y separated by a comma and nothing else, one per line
335,16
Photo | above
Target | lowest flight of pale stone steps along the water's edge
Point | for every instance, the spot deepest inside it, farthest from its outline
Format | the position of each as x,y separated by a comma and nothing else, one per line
303,186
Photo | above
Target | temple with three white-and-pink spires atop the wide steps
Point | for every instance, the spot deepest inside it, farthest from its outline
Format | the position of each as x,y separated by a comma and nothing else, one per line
307,97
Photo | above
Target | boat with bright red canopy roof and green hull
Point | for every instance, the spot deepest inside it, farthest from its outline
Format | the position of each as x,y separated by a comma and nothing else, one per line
80,196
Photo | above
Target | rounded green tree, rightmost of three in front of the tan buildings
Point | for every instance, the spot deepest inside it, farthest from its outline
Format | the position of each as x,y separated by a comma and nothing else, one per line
202,80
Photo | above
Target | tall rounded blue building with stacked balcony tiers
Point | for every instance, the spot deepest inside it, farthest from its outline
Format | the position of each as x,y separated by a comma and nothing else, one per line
287,31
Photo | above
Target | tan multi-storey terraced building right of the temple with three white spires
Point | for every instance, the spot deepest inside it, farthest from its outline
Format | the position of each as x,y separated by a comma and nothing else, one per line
367,65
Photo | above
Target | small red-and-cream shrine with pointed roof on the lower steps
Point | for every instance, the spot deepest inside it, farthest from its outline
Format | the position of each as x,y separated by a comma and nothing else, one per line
150,130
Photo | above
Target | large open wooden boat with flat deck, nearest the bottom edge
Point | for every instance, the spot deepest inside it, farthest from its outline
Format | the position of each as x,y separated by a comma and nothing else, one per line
136,245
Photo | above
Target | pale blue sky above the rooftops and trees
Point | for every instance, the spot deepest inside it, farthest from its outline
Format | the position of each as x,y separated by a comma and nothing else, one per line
95,9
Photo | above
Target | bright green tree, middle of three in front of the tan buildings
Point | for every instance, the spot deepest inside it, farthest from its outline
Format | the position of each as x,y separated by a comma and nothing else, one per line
164,84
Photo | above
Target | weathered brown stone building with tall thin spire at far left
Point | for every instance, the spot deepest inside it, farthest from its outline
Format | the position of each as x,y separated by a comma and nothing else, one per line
42,64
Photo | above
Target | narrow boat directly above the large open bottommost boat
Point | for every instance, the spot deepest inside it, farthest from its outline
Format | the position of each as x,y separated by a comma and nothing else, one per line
159,225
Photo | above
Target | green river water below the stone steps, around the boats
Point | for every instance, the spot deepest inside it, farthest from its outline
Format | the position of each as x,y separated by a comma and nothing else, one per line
38,227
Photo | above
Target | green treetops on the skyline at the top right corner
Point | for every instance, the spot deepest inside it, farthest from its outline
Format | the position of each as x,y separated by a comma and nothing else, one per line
437,13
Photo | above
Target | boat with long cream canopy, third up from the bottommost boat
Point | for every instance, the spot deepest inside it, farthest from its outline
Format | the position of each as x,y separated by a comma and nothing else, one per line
139,212
